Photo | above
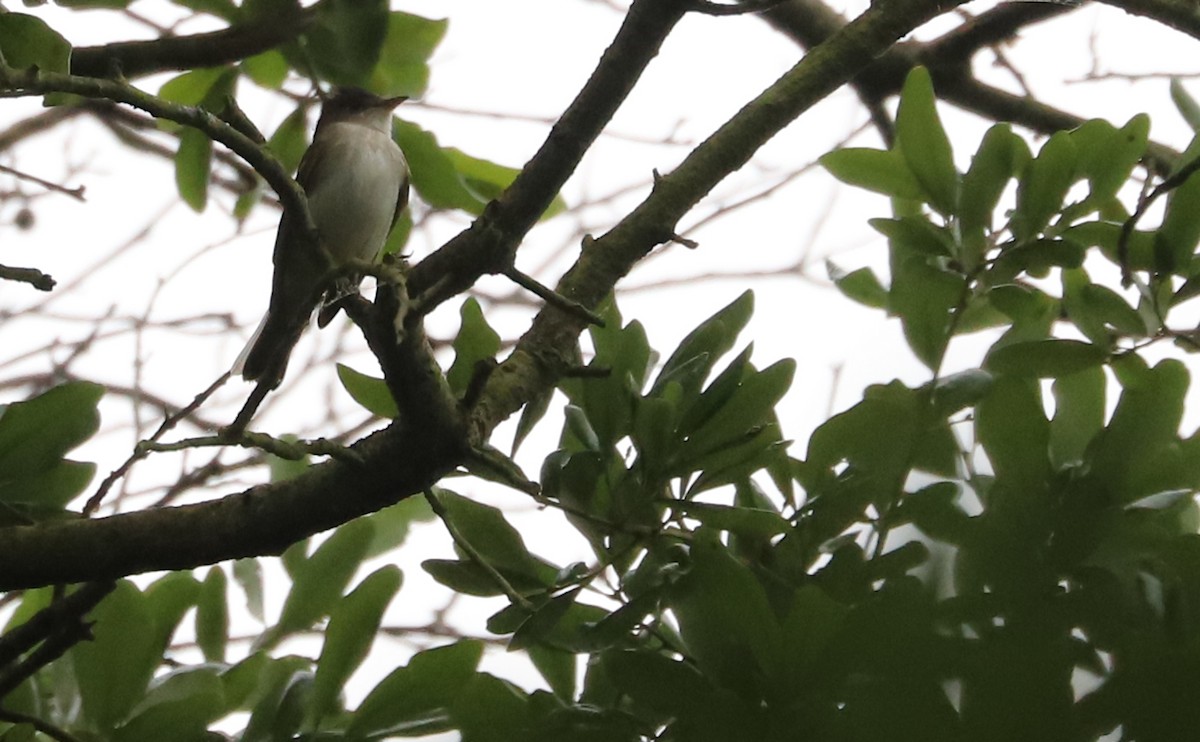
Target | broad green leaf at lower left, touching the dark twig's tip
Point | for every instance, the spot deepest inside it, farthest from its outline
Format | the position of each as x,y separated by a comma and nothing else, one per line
115,668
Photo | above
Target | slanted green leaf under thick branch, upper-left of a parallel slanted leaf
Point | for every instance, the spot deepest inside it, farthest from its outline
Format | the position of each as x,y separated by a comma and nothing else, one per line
322,579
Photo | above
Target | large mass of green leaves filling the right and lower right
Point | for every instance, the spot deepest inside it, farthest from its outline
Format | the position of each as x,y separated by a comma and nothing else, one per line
889,585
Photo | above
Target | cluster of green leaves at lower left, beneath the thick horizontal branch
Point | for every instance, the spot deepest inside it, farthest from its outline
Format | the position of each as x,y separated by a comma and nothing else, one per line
129,684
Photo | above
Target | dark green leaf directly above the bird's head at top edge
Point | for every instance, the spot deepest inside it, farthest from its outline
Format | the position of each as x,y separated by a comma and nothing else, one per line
345,40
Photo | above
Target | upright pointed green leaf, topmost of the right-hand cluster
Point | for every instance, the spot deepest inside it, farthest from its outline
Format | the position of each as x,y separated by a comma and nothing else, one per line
922,140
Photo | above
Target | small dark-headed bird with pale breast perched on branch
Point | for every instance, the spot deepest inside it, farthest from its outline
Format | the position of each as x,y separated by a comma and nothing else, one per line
356,179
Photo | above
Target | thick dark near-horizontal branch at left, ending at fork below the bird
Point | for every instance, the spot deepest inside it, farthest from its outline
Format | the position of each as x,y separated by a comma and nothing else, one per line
398,463
